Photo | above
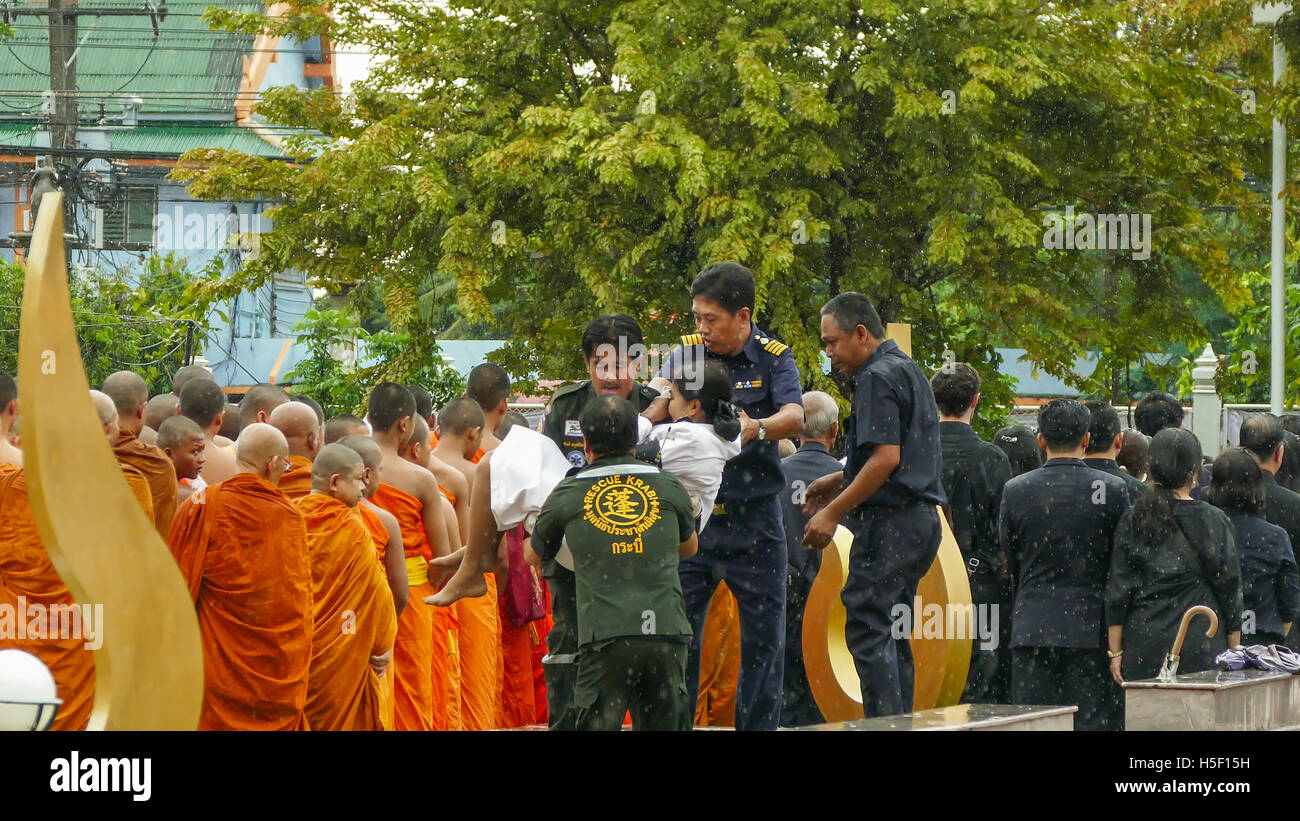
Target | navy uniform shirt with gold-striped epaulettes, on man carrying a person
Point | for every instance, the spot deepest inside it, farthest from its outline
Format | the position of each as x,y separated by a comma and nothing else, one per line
764,379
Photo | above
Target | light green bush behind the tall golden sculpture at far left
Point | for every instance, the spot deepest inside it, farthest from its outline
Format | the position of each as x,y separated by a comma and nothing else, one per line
120,327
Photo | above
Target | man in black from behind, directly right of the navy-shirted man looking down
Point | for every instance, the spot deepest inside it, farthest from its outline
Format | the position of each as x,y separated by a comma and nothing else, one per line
974,475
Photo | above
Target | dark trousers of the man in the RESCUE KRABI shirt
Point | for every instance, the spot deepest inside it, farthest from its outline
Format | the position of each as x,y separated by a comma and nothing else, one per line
645,677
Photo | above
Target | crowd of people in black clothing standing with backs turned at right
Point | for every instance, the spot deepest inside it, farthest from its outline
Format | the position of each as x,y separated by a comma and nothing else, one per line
1094,541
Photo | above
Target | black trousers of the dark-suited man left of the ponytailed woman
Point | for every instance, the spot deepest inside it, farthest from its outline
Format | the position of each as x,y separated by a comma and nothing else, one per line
1069,676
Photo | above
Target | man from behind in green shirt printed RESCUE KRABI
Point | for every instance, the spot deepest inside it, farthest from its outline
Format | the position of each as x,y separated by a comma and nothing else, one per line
625,524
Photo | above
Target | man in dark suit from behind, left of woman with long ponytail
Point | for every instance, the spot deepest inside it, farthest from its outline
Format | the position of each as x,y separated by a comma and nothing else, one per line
1058,525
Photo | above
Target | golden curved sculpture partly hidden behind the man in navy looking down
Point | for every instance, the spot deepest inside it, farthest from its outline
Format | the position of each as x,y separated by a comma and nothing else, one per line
942,664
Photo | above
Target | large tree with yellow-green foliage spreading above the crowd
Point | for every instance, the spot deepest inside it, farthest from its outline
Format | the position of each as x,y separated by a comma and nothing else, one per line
574,158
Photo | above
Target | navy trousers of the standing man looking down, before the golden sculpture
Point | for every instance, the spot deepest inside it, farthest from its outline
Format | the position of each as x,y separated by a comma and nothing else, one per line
892,550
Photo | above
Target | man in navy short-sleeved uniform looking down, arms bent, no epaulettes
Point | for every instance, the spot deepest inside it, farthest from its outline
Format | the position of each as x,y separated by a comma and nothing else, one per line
891,492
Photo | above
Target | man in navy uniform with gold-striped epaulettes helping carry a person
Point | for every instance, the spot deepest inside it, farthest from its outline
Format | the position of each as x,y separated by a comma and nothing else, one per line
744,541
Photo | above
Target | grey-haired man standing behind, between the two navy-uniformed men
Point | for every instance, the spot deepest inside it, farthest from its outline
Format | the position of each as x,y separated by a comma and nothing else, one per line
803,468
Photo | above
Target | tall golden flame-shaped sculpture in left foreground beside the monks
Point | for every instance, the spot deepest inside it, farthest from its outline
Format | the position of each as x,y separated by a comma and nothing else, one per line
149,671
